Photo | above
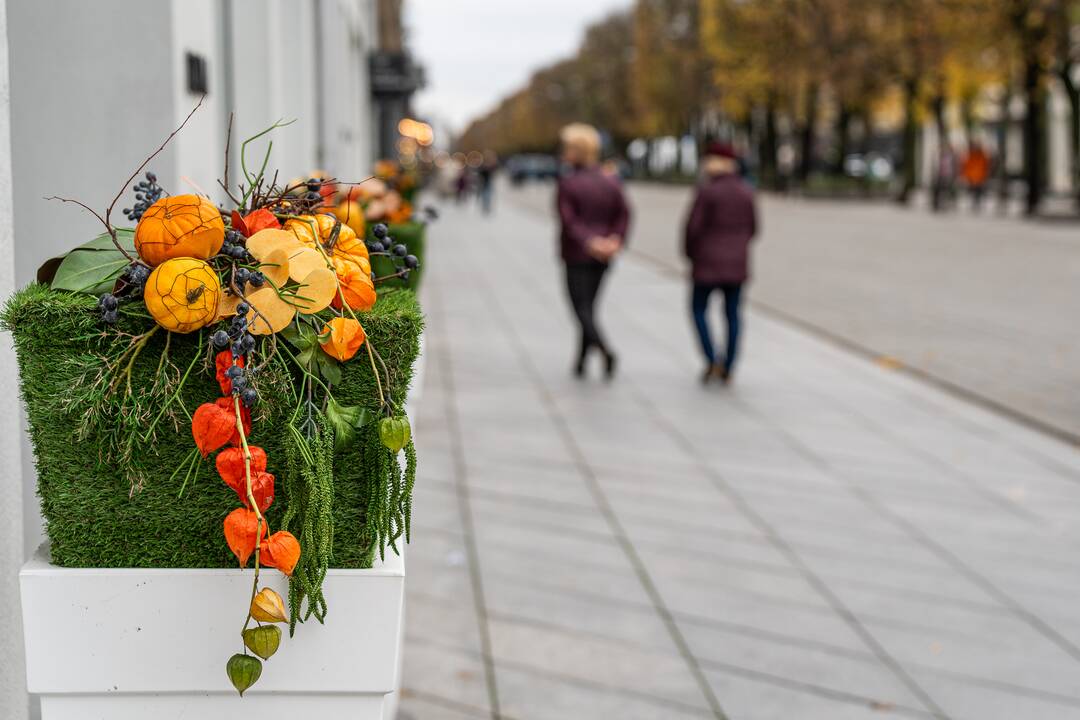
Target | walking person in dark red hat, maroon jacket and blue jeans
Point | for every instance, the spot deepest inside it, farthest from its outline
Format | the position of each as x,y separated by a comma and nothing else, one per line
722,224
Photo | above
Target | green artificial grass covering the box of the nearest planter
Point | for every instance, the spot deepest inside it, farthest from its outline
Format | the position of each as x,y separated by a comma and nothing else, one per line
94,519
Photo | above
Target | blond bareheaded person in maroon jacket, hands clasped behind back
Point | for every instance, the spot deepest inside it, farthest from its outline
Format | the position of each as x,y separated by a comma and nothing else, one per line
595,219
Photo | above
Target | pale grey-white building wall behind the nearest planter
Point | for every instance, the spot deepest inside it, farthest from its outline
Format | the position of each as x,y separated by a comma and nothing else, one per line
96,88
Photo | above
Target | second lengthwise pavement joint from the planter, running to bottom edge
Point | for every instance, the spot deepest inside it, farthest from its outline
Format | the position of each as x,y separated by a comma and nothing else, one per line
603,506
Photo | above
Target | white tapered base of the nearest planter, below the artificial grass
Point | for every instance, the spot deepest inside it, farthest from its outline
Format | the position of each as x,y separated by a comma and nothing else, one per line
131,645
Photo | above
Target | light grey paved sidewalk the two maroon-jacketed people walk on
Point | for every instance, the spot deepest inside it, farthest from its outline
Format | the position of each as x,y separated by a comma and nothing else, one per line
823,540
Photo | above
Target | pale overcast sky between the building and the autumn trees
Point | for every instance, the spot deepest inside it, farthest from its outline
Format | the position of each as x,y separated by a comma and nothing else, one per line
476,52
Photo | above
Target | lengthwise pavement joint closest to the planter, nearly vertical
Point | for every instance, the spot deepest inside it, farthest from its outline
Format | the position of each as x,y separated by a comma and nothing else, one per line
461,472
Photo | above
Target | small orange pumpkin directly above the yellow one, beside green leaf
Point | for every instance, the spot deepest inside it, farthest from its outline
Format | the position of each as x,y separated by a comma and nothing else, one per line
180,227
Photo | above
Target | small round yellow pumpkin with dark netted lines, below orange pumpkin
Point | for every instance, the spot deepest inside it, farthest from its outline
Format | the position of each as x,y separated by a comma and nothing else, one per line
183,294
